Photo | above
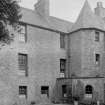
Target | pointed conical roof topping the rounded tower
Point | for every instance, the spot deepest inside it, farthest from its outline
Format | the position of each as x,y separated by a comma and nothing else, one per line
87,19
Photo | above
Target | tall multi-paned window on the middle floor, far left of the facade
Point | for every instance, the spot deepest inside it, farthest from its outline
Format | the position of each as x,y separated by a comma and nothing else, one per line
22,59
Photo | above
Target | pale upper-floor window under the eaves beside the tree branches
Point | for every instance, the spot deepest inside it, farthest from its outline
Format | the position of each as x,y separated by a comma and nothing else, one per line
22,33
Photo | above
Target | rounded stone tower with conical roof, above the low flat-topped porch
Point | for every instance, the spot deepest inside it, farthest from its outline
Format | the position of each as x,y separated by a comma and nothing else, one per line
86,44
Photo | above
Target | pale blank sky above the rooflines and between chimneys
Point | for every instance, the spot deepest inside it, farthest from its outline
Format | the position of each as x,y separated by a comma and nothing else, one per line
64,9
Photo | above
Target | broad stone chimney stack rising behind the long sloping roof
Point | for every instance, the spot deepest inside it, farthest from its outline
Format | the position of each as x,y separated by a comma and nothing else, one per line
42,7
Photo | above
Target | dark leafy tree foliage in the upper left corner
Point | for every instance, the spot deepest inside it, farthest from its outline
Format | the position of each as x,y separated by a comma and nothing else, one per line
9,15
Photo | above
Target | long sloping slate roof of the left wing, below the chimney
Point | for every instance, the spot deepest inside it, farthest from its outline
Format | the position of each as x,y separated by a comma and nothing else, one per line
32,17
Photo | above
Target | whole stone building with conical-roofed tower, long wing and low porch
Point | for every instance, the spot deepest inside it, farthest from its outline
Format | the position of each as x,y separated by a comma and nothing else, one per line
53,60
